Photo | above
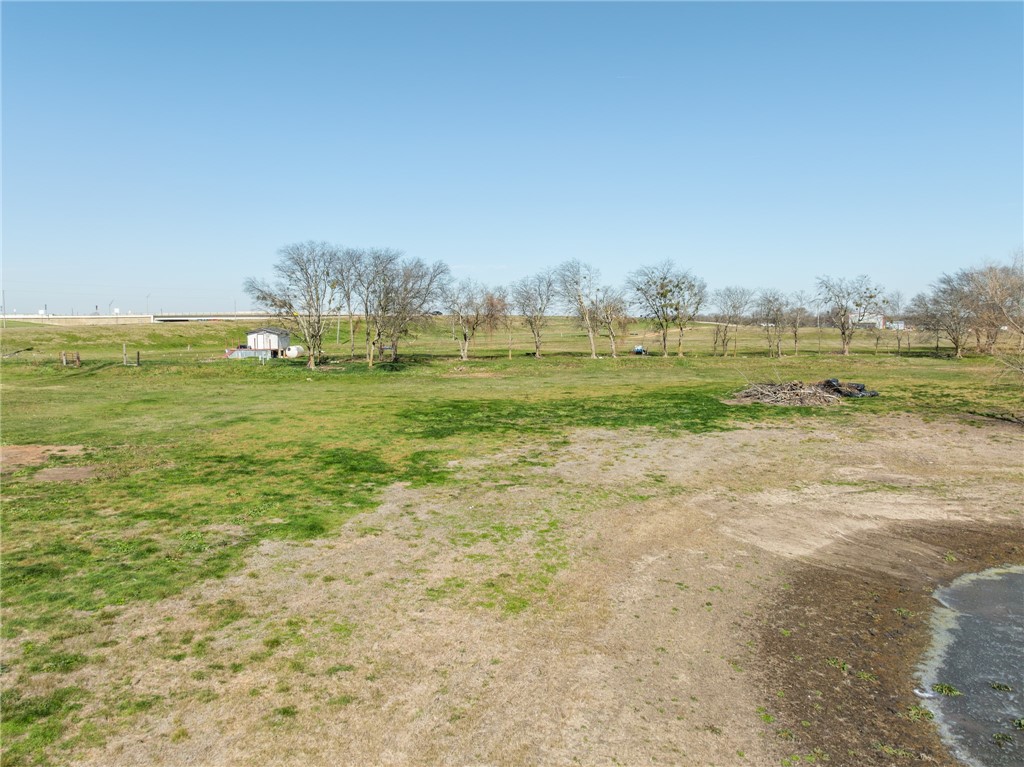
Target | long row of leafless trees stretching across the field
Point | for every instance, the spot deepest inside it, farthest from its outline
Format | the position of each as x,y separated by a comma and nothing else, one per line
315,282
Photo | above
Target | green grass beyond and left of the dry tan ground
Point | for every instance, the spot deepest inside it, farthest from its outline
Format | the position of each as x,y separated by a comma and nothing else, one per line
199,459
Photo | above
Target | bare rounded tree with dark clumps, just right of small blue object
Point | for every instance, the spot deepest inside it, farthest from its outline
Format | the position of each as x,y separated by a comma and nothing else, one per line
669,299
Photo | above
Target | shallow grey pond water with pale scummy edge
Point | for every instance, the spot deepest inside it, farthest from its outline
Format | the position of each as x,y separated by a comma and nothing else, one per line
979,643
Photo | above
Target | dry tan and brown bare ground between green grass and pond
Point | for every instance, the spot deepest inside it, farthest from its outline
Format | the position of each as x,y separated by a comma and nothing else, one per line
754,598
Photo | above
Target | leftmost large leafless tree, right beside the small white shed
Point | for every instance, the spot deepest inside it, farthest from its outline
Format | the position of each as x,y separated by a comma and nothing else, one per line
305,293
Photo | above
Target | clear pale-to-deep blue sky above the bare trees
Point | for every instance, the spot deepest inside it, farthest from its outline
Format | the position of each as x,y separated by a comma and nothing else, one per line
169,150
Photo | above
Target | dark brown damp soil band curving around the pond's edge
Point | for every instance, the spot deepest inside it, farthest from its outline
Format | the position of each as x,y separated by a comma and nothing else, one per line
842,644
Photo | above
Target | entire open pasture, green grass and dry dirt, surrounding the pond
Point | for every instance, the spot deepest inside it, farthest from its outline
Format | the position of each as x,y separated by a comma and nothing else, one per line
494,562
